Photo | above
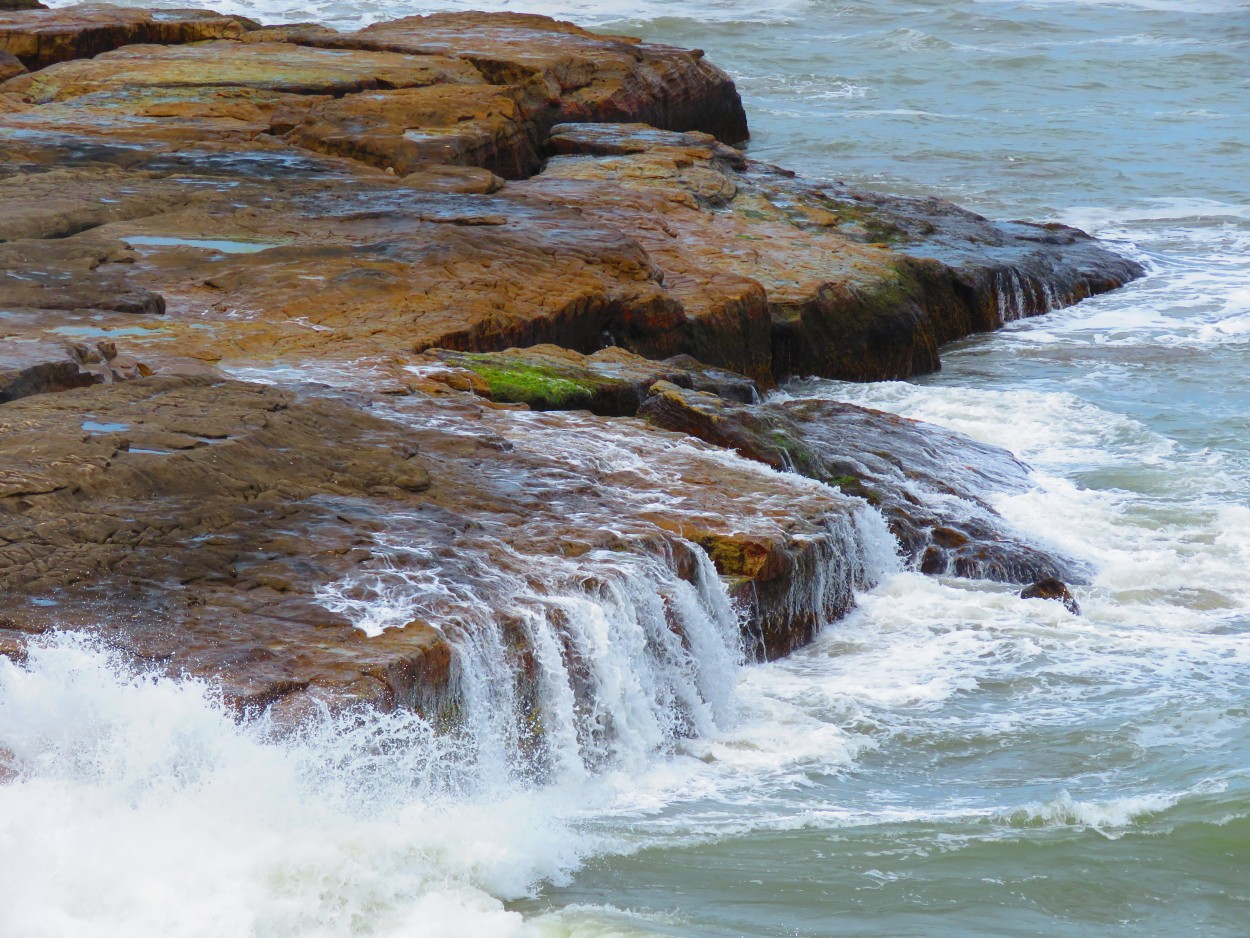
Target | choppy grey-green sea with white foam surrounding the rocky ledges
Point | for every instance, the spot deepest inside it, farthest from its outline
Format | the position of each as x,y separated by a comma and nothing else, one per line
949,760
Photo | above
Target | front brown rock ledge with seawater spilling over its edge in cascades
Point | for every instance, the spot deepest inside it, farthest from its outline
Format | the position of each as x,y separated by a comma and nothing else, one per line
226,530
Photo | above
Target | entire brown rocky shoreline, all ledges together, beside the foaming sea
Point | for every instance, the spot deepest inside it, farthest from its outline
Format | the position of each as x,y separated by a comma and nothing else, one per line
451,316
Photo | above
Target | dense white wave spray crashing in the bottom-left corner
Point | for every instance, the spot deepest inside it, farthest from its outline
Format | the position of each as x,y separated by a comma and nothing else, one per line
139,806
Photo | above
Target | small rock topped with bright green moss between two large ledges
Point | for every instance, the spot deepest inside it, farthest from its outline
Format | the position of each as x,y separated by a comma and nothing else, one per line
612,382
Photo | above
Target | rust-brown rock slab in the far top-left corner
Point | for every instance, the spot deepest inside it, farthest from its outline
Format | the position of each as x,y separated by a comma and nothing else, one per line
42,37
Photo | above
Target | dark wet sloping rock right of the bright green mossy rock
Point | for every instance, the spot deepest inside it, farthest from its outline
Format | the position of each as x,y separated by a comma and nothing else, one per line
928,482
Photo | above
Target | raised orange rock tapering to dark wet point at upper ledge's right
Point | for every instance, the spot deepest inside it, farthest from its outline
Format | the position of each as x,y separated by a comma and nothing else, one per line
857,286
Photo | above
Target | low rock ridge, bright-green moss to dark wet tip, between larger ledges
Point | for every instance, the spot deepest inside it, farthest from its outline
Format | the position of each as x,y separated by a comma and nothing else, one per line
931,485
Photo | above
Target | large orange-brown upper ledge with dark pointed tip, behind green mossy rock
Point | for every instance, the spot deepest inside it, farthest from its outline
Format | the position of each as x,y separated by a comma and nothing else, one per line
371,164
